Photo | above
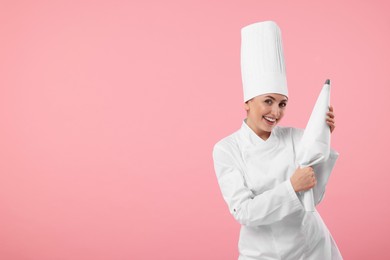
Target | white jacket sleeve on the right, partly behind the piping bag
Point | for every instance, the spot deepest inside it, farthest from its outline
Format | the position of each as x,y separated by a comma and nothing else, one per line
323,171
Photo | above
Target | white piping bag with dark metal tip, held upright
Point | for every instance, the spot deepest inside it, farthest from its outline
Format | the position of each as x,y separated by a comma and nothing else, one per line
314,147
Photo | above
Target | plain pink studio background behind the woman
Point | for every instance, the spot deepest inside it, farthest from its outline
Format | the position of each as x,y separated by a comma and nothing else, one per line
110,109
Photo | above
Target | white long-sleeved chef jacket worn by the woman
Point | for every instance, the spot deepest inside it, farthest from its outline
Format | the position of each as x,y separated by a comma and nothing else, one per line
254,177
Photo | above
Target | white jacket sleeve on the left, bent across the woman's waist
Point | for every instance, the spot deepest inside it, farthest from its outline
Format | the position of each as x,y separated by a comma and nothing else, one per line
246,207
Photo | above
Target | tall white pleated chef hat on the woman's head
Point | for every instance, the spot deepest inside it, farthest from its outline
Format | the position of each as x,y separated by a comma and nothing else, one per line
262,60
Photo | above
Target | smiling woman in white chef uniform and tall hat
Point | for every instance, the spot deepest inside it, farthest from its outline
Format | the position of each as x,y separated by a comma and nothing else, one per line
256,166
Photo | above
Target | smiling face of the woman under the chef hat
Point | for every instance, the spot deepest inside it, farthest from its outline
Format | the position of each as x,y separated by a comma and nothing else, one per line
264,112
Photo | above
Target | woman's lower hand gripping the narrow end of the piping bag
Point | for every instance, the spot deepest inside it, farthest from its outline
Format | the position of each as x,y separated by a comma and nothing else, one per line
303,179
